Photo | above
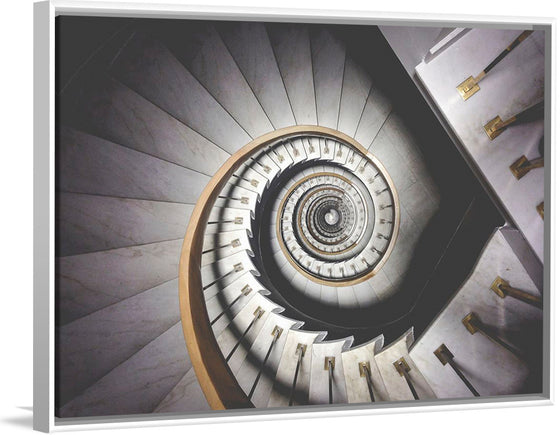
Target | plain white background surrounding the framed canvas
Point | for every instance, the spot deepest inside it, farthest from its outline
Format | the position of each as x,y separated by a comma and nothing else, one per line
16,208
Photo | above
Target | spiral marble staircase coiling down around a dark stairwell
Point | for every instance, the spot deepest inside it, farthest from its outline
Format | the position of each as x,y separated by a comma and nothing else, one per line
322,234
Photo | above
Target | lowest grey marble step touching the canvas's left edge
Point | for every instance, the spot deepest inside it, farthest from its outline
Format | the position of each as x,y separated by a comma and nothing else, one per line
106,338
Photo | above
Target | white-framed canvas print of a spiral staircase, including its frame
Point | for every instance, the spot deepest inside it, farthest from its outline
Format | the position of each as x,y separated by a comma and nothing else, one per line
254,213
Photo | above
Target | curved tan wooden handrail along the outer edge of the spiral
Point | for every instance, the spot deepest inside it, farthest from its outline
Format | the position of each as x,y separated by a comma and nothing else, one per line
214,375
